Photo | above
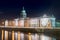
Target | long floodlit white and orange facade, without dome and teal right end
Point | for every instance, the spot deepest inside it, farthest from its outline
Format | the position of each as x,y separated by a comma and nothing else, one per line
28,22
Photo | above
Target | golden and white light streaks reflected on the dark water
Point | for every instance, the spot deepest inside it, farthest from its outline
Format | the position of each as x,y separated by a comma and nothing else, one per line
21,36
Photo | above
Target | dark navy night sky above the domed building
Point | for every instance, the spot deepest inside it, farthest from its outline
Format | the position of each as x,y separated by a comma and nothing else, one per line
34,8
